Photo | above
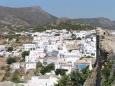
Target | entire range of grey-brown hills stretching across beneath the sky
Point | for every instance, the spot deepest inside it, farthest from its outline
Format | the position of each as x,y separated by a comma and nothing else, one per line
20,18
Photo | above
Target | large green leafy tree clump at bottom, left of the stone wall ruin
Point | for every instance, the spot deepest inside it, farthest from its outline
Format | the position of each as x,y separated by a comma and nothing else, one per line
75,78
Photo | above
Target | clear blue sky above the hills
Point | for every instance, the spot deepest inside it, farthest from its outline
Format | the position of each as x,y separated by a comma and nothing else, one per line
69,8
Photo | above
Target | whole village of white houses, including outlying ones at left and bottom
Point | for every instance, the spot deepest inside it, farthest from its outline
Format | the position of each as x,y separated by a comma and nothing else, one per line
58,47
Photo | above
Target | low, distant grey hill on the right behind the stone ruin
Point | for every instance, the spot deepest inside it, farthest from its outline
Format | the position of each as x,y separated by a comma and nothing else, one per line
99,22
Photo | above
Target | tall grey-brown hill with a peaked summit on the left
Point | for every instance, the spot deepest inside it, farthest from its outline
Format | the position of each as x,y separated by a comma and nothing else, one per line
21,17
